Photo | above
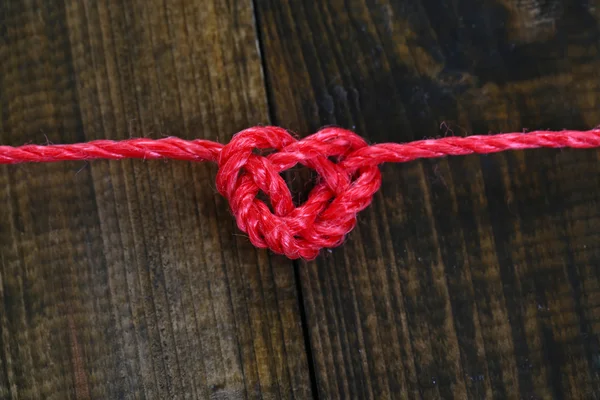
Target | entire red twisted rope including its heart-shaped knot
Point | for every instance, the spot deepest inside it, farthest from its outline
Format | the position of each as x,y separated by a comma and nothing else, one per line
346,164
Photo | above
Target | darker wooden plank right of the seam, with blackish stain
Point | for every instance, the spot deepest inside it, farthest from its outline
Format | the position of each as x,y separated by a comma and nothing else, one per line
472,277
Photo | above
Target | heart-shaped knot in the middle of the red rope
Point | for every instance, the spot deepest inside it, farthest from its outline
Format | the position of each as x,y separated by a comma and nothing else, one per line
323,220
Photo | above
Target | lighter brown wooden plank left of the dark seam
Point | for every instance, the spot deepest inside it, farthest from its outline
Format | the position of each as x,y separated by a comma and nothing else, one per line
129,279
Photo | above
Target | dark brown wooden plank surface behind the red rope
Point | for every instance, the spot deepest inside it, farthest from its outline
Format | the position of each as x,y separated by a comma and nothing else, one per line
471,277
